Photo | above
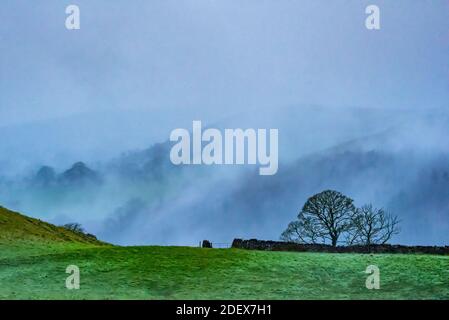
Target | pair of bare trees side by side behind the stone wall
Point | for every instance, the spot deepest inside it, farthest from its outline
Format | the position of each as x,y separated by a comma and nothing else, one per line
330,217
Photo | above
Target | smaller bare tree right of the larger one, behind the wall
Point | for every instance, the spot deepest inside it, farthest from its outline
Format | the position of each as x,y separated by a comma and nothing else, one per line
372,226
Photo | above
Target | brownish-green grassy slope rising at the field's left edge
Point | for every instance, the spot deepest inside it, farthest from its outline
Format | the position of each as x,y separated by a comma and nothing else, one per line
15,227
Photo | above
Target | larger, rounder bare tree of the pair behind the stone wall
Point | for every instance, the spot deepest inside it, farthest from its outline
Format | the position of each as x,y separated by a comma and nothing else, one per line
324,216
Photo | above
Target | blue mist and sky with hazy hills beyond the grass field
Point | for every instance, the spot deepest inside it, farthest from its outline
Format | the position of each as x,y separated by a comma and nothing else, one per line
363,112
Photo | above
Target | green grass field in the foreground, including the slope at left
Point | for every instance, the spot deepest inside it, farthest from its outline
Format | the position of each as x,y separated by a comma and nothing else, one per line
33,264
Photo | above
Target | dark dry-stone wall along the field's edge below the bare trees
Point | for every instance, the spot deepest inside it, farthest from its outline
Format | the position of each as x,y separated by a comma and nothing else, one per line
254,244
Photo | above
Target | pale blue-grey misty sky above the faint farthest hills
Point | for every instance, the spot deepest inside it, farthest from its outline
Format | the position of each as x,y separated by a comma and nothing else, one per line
219,57
